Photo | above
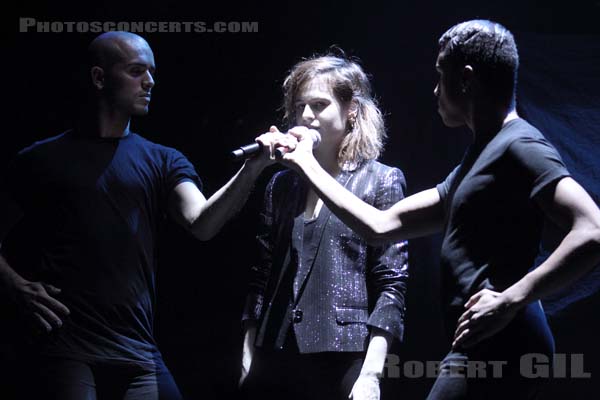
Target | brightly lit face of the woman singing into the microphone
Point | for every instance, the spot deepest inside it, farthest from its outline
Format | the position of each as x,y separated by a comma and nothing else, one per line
317,108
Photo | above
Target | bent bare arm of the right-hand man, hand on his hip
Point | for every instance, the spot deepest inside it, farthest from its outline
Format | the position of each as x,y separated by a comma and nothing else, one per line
571,207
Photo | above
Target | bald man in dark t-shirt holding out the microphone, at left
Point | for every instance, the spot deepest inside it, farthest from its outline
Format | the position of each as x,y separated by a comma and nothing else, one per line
94,196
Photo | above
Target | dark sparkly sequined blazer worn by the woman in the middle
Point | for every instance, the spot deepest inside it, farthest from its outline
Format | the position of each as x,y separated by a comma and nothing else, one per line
348,287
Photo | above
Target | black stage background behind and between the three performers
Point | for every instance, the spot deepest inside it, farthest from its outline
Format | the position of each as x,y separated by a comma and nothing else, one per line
218,90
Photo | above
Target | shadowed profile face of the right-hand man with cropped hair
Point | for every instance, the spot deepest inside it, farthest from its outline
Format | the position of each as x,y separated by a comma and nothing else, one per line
451,100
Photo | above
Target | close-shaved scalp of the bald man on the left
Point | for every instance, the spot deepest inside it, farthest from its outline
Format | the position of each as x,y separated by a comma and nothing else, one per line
111,48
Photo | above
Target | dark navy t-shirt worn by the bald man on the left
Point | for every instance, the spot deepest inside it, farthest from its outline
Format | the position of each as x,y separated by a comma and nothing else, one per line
96,205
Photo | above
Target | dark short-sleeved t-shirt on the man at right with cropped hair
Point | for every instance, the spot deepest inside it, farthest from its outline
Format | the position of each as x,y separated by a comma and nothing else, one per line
493,226
